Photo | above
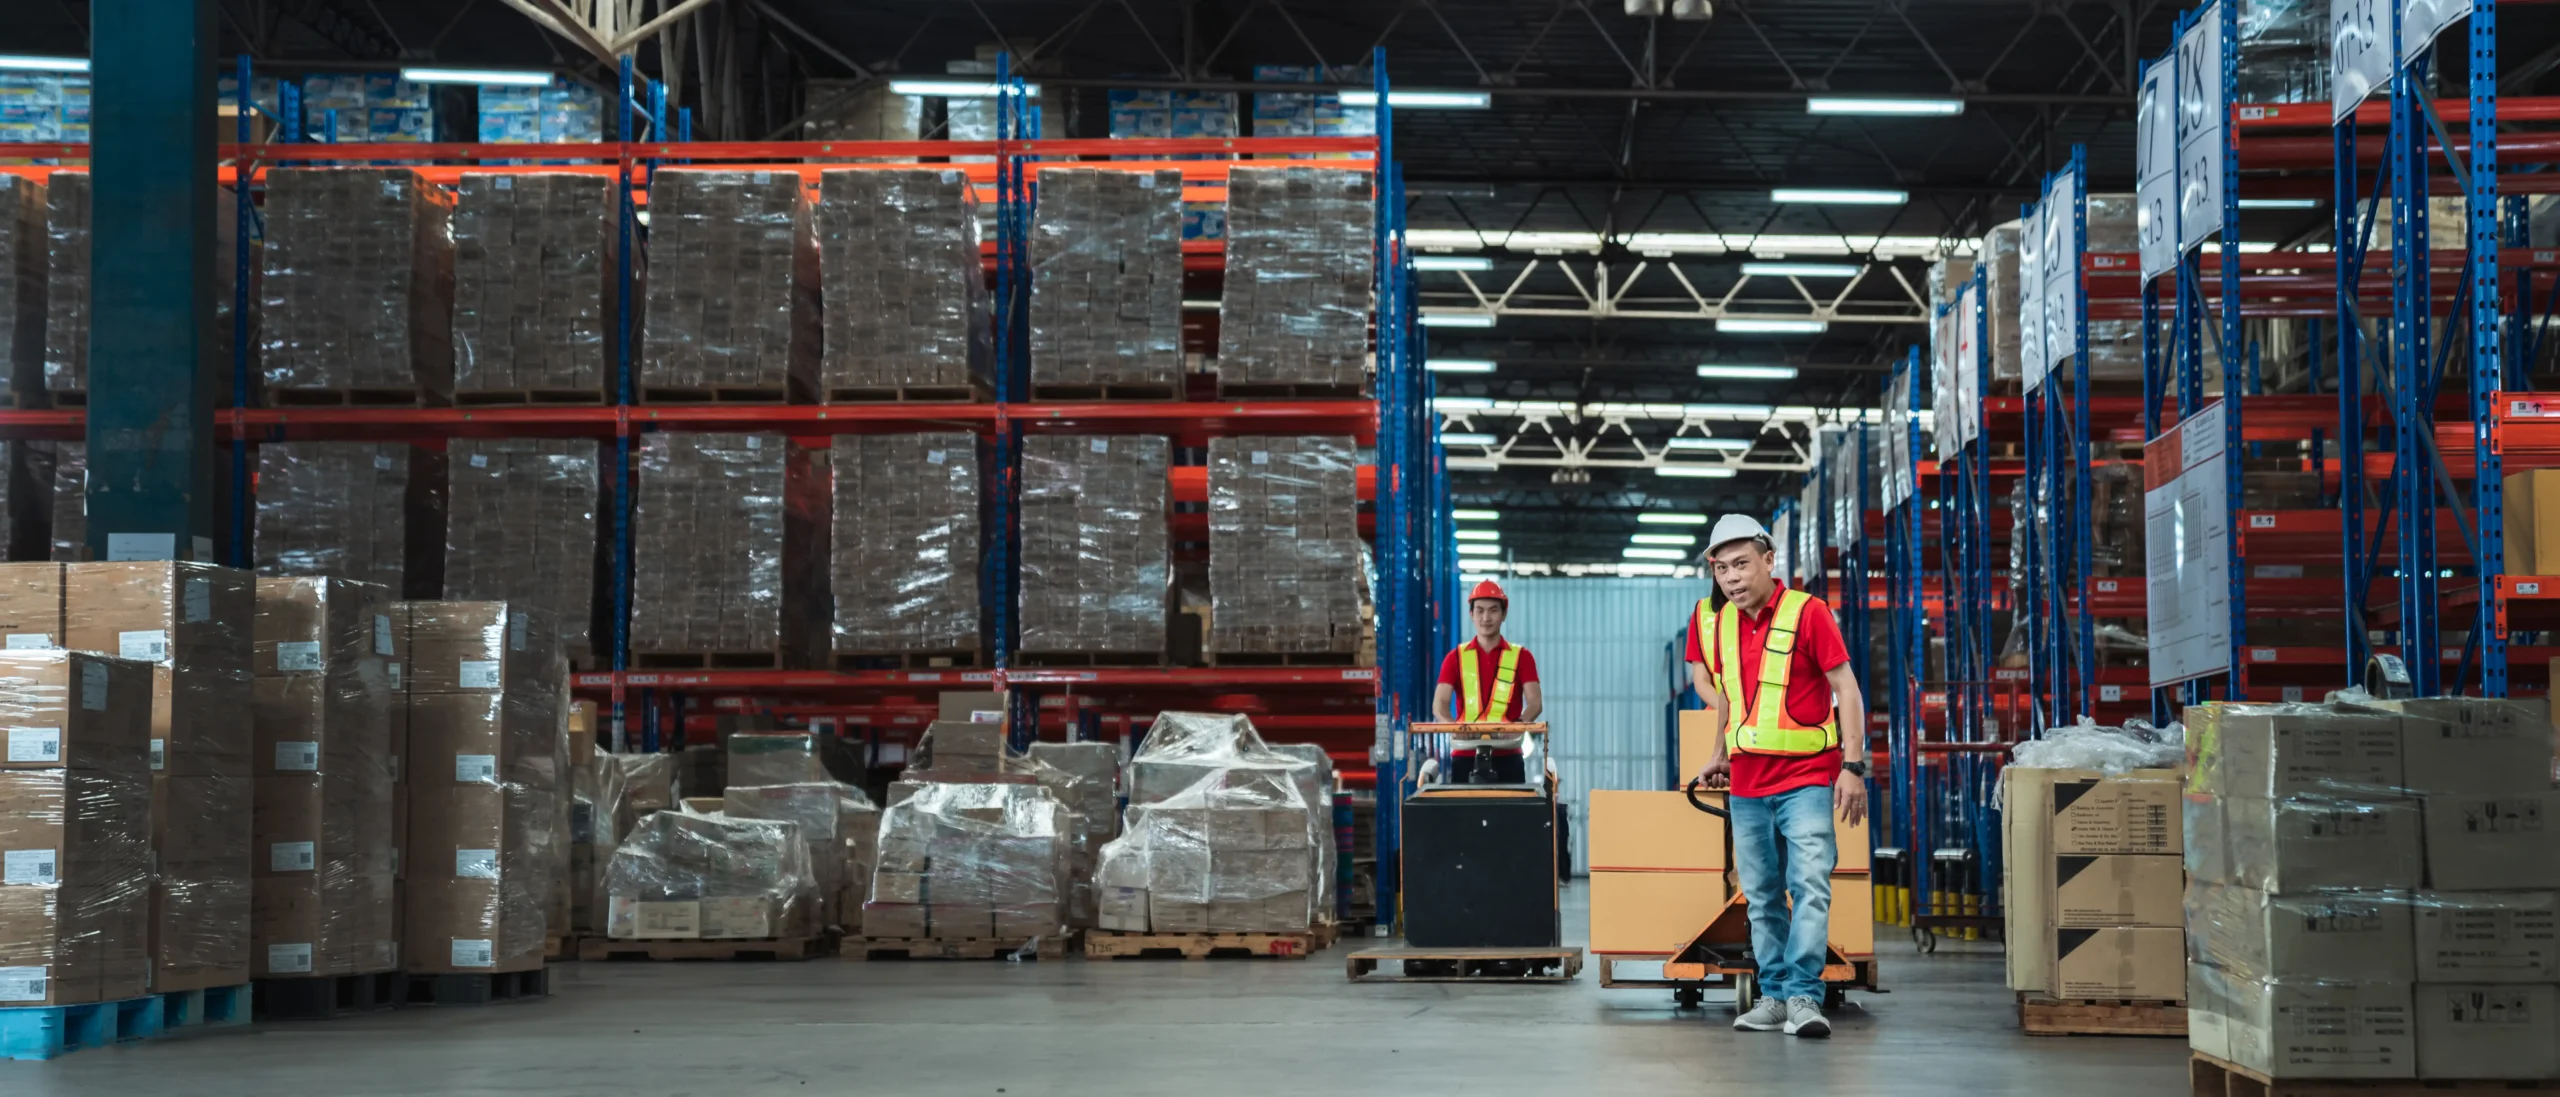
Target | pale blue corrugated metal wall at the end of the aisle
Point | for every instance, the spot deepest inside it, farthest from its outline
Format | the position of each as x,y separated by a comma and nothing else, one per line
1601,648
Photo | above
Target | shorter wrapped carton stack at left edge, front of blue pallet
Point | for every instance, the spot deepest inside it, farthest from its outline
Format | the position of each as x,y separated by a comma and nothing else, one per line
76,830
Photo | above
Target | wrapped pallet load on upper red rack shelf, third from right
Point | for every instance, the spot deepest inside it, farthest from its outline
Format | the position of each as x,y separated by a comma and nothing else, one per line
905,285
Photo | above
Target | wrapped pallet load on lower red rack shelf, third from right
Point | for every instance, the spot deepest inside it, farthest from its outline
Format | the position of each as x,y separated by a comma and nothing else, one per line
905,543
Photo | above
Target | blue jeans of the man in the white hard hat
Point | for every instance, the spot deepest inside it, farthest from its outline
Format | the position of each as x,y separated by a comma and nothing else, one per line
1783,848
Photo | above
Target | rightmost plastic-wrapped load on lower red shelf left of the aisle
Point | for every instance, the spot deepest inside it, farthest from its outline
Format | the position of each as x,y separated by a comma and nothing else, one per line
1284,546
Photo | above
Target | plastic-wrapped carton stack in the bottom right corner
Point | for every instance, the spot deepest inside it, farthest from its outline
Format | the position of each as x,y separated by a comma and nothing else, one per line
2372,889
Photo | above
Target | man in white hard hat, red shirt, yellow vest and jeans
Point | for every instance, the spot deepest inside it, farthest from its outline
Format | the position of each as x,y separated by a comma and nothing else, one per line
1780,694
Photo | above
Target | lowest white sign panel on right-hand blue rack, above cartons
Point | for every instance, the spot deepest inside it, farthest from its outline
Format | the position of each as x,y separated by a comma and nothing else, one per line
2188,536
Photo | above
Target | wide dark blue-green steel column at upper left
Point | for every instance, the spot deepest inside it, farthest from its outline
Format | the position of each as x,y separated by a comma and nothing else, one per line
152,346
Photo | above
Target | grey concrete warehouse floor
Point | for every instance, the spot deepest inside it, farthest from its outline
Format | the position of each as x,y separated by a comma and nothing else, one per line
1128,1029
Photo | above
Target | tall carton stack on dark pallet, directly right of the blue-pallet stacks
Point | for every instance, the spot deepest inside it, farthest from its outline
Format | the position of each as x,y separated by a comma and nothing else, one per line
324,894
